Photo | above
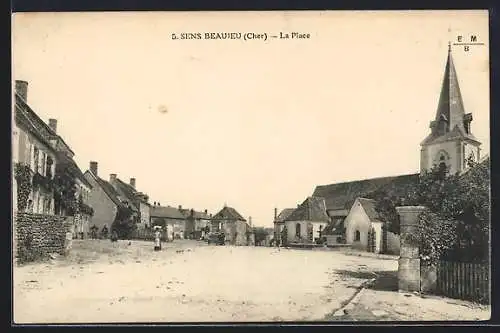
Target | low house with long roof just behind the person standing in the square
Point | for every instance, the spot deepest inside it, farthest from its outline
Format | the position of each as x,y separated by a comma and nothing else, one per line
169,217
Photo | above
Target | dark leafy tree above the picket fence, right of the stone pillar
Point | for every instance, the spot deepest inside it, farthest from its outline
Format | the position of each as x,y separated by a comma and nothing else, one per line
456,225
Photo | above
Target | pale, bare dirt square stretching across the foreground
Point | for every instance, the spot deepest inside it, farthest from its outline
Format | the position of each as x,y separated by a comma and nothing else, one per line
104,282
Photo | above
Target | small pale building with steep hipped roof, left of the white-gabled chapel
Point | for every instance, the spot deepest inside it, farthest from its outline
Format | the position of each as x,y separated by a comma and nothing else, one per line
306,222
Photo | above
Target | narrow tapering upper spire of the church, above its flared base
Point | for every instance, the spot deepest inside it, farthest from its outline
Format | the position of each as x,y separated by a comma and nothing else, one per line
450,111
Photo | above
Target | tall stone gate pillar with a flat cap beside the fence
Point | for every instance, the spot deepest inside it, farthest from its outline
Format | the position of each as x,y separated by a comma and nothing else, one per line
409,259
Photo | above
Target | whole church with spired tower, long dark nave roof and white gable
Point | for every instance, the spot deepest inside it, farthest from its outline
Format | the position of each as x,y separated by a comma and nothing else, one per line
450,144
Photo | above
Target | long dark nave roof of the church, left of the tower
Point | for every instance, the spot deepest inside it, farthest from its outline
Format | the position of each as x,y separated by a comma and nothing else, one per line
342,195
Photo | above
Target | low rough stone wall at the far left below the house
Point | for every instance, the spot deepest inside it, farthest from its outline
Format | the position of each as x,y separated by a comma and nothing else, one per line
39,235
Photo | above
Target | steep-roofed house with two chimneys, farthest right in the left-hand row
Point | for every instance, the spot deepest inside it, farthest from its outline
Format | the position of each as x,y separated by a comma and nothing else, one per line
137,200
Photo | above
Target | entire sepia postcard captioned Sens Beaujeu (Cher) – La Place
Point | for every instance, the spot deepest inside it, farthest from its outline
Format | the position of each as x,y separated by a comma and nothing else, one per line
231,167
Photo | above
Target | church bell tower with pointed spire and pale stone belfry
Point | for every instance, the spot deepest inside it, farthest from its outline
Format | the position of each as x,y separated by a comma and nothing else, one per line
451,143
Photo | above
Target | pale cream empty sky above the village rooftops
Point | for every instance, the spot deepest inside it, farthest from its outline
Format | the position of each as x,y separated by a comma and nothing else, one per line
254,124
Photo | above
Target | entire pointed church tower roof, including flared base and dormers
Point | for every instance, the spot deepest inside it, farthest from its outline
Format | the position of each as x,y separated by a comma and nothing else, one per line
450,109
